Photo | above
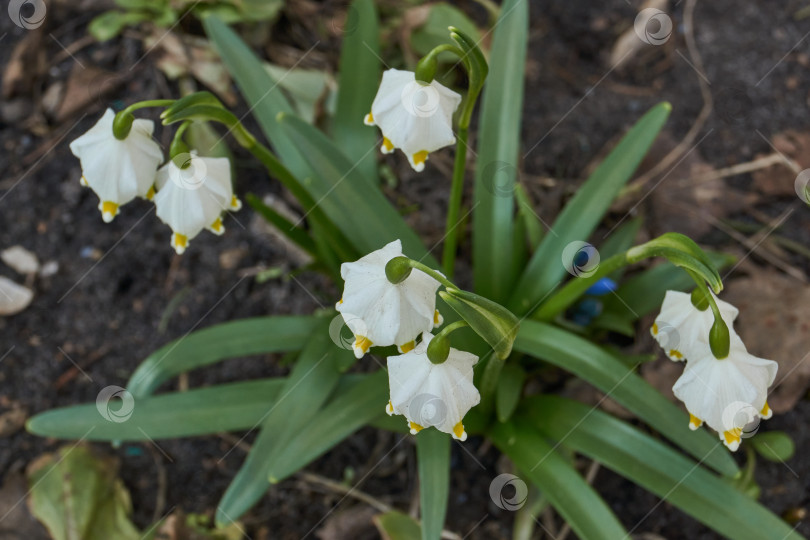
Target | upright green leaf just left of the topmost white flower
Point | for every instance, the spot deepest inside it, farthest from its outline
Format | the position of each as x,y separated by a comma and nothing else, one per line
360,71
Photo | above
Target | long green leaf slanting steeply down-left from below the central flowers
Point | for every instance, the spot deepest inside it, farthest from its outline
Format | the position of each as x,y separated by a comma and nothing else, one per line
309,385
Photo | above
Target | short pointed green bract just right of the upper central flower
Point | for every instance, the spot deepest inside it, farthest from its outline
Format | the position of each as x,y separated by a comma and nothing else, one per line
490,320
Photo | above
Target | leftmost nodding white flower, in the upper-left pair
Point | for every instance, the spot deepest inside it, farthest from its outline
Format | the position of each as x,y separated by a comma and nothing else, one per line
118,170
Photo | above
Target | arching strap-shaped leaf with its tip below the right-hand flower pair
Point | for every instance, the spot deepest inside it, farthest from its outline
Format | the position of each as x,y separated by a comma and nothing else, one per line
619,382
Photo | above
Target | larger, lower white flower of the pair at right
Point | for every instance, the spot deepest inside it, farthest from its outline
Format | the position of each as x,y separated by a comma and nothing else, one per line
727,394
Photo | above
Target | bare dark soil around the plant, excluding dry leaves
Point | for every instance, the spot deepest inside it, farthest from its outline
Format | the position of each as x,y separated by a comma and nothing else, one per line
102,308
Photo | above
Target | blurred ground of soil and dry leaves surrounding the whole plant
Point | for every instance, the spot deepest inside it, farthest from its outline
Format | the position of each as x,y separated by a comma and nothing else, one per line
84,302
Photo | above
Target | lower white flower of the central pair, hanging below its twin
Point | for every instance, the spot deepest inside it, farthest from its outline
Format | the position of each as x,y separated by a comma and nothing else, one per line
429,394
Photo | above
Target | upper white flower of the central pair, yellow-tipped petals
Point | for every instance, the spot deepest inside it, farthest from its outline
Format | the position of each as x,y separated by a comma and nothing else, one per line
382,313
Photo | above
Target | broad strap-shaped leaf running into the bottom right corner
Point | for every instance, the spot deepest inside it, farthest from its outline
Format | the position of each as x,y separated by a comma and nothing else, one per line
656,467
